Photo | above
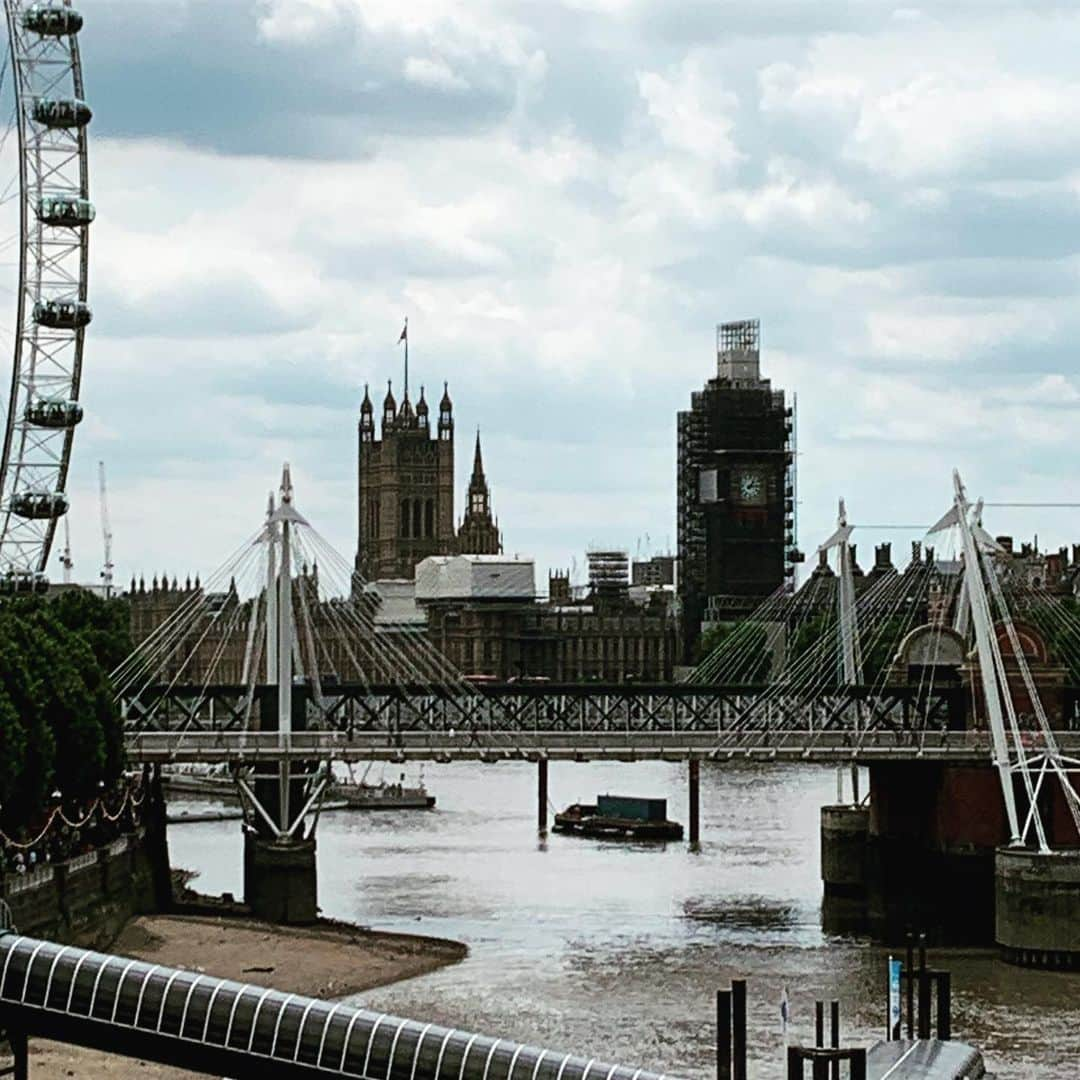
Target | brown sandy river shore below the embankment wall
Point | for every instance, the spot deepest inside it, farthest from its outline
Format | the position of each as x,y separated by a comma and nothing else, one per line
326,962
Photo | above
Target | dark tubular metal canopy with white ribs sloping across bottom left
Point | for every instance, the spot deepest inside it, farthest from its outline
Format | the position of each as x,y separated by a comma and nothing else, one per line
194,1021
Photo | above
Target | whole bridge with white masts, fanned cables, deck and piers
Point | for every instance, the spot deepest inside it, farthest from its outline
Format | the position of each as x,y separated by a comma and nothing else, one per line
925,677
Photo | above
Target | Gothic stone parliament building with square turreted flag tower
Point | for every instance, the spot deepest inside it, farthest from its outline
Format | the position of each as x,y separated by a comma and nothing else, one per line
406,504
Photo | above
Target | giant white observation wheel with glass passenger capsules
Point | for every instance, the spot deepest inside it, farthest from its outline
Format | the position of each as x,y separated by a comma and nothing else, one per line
45,224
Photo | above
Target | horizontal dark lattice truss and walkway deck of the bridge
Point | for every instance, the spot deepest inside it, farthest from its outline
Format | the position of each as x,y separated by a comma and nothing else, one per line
575,722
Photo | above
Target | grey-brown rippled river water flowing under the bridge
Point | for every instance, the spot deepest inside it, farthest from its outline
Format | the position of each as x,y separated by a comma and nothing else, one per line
616,951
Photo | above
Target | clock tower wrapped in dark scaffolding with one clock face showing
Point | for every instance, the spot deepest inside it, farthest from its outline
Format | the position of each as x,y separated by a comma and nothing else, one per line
737,528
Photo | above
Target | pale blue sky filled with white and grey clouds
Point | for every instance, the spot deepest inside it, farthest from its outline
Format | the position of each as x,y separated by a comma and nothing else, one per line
565,198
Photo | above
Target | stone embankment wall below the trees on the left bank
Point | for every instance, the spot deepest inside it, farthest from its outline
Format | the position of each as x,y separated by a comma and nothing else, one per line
87,900
